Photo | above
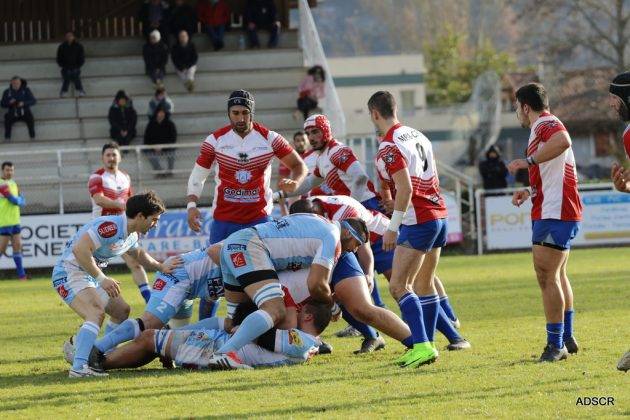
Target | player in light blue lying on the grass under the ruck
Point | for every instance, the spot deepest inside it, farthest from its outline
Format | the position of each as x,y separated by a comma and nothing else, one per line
193,346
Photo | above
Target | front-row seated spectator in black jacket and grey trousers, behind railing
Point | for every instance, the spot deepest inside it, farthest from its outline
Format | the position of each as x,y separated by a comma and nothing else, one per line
161,130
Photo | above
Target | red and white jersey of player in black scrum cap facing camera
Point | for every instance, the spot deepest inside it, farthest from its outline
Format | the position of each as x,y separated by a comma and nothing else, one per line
243,171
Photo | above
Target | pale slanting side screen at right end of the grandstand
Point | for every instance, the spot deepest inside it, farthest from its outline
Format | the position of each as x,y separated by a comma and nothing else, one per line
313,54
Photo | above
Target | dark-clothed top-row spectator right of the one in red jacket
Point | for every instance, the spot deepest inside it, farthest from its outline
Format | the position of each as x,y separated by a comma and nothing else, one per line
261,14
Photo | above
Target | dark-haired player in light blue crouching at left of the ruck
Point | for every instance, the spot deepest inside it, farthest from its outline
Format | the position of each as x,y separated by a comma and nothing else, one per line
78,279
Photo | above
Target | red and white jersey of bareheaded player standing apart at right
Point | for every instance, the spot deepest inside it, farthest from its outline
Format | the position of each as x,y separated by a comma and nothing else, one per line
554,183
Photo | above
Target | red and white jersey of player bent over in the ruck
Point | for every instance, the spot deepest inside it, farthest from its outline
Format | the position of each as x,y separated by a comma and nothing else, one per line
340,207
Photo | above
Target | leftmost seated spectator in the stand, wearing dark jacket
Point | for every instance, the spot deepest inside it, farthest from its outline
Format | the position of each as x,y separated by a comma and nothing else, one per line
18,99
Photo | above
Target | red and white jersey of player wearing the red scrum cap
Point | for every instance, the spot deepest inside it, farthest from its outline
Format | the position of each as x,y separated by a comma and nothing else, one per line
332,164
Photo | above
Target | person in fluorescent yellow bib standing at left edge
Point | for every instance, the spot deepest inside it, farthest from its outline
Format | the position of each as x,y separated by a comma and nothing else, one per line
10,202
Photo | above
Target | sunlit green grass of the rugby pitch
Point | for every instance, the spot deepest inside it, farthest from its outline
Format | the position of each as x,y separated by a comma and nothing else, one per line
497,300
